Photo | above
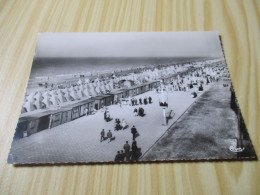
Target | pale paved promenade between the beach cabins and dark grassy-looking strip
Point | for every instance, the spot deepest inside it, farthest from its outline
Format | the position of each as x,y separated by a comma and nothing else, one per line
79,140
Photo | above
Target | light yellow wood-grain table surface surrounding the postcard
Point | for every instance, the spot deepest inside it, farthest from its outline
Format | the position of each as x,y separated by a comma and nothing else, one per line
237,22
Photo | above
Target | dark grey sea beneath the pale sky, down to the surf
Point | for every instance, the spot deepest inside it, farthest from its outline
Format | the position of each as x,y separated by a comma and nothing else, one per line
61,66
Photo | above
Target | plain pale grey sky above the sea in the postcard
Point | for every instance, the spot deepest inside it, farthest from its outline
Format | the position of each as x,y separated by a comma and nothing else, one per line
133,44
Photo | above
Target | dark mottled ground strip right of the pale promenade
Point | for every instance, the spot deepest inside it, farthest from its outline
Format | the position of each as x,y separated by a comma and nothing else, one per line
205,131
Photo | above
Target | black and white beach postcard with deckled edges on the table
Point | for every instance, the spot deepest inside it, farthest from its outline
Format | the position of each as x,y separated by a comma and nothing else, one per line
129,97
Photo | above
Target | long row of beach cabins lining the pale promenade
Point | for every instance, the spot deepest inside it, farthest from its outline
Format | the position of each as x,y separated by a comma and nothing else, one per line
30,124
